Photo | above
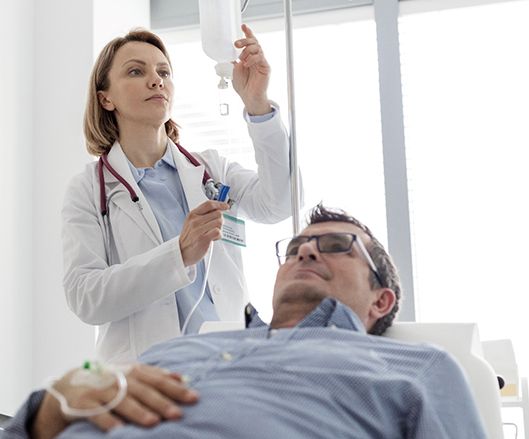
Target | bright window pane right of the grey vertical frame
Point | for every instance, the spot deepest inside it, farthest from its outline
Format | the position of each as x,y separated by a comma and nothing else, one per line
465,103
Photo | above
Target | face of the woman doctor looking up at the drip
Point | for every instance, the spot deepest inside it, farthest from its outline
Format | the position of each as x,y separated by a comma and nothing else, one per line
141,86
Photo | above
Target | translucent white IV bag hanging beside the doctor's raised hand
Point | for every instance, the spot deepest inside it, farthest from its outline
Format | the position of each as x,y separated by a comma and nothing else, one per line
220,26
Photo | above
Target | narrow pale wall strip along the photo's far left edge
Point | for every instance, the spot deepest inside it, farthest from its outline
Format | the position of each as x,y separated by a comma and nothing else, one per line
16,127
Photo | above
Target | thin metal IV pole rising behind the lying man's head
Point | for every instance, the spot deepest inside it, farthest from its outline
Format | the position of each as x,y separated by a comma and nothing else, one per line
294,171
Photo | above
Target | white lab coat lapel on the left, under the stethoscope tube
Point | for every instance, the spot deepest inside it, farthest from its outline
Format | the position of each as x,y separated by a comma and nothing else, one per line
142,215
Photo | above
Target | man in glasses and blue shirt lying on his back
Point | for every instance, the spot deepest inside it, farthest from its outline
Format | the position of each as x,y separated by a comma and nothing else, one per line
314,372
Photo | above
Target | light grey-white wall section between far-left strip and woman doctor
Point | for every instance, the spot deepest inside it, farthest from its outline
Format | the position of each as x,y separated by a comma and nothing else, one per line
63,57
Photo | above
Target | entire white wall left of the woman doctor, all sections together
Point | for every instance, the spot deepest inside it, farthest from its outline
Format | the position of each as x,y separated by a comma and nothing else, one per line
49,47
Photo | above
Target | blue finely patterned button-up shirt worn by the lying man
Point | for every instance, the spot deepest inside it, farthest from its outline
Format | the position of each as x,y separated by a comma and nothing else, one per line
325,378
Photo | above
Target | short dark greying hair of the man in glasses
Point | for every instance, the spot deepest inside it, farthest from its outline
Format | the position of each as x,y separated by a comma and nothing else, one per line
383,261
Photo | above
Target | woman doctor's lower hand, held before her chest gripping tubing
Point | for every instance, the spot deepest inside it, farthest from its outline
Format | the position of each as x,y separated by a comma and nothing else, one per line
202,226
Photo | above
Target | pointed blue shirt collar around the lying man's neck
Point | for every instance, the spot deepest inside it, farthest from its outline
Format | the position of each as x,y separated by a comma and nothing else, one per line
329,313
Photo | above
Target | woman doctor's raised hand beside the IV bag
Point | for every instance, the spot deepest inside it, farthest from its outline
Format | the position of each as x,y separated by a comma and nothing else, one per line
252,74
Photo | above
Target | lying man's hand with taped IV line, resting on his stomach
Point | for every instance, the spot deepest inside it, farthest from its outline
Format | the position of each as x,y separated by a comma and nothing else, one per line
153,394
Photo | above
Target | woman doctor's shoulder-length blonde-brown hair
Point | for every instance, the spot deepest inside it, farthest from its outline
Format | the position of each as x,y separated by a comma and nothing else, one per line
100,126
